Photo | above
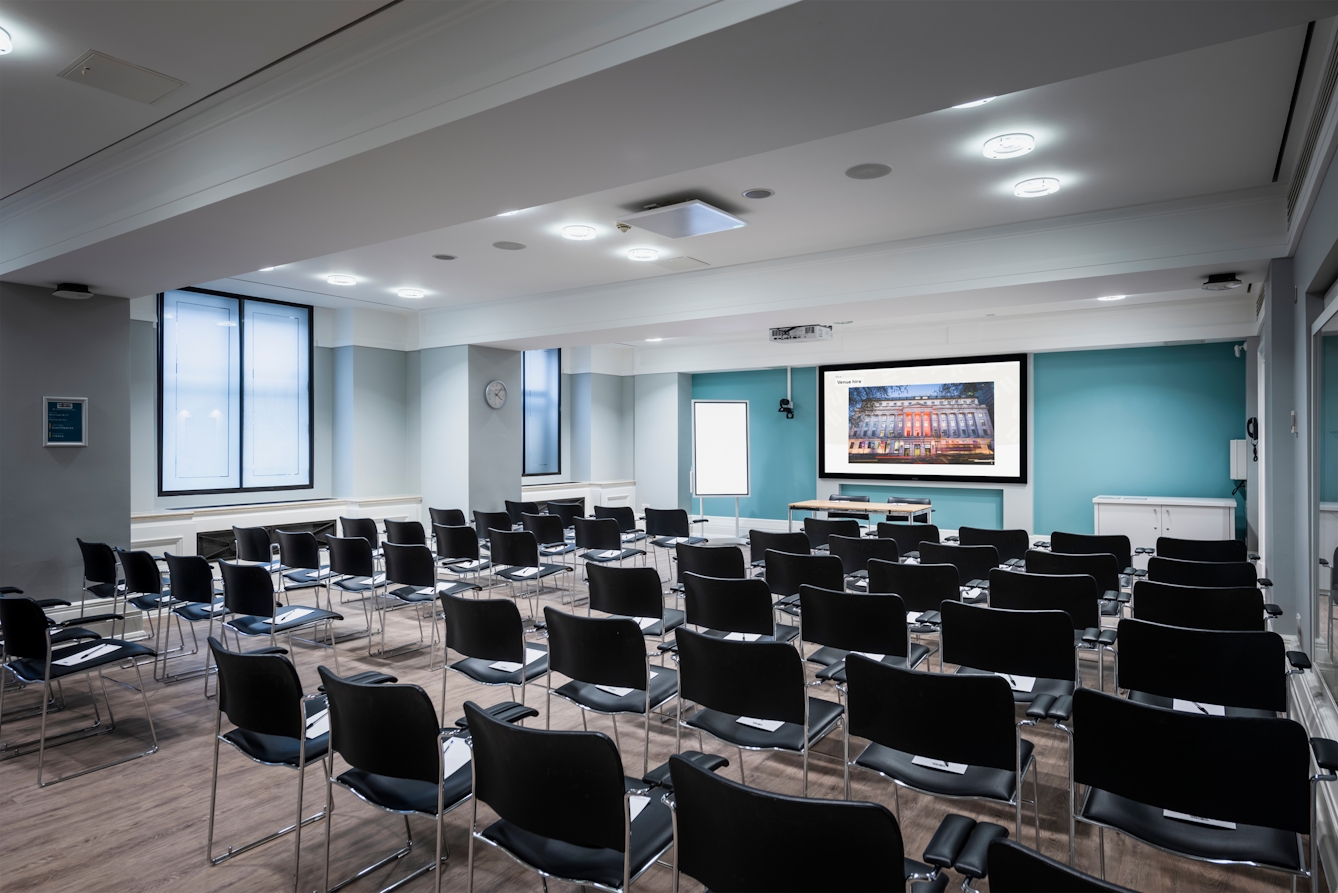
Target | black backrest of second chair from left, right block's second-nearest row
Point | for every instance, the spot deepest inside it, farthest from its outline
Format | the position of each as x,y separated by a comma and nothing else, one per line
599,651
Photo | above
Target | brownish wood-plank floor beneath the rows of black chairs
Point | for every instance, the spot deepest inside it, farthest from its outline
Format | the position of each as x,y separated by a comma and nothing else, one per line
142,825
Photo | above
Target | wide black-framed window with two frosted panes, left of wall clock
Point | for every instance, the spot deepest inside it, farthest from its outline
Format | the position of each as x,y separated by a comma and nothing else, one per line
235,394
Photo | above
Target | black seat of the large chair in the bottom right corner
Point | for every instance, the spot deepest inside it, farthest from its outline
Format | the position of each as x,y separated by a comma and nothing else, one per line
1244,844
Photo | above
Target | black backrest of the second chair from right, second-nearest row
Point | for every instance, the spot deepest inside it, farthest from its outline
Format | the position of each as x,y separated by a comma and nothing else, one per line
889,705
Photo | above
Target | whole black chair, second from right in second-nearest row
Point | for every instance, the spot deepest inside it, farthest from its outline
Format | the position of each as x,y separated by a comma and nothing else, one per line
889,705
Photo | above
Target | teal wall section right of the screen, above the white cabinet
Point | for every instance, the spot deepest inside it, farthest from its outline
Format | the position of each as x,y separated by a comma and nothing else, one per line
1149,421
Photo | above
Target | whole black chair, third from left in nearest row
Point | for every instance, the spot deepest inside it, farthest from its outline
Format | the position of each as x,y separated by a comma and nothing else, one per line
565,808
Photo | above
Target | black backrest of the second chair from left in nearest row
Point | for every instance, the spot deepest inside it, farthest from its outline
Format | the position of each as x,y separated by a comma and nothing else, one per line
383,730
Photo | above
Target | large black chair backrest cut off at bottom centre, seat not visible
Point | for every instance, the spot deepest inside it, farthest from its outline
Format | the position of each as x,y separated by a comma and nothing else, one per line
731,837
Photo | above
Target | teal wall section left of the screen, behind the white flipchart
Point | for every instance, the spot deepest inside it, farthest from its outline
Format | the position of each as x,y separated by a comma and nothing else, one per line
783,459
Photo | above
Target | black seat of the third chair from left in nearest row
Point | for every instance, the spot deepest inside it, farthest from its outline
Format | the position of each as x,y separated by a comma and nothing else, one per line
652,833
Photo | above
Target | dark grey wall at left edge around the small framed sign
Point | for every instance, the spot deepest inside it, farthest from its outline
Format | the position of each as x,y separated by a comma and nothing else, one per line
53,347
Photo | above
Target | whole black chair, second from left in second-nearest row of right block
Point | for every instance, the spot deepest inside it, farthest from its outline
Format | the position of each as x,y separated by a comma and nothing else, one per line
611,673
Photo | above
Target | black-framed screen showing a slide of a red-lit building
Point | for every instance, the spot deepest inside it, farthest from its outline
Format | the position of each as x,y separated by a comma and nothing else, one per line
928,421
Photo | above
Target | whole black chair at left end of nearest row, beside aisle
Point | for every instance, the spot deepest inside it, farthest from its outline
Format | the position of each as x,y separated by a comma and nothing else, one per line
274,725
